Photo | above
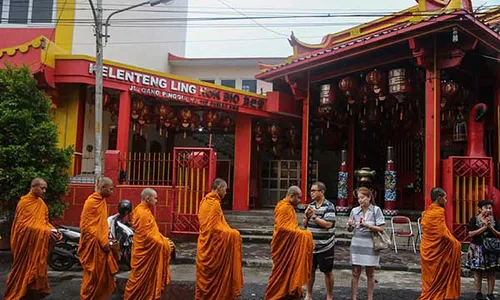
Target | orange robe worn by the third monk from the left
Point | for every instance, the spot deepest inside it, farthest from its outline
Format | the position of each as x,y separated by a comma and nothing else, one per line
150,258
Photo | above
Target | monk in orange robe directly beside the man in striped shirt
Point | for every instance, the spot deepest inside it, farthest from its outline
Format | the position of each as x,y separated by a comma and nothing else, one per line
291,250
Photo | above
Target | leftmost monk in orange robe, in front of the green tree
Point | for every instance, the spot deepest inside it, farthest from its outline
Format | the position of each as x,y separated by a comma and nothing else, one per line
29,241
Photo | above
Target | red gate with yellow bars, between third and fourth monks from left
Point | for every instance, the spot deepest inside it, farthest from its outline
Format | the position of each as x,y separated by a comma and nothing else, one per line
194,171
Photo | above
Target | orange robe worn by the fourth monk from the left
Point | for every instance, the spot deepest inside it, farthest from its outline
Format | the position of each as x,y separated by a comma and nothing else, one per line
218,263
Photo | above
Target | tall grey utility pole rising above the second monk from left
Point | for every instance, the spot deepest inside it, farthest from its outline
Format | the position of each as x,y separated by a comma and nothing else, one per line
98,92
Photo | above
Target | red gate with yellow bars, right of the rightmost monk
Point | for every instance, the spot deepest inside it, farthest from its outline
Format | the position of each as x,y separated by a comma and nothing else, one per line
466,180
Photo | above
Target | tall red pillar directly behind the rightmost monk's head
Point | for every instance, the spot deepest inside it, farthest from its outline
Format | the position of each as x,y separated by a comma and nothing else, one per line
432,131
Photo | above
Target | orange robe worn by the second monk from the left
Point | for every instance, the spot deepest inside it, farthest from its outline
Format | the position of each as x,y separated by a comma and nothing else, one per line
98,266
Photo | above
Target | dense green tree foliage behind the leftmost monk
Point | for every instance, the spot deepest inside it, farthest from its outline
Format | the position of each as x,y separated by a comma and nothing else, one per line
28,143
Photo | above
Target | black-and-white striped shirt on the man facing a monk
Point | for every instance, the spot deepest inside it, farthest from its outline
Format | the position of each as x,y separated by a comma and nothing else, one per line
324,239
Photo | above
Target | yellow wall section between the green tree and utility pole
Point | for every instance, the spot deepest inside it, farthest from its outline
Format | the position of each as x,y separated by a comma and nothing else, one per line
66,116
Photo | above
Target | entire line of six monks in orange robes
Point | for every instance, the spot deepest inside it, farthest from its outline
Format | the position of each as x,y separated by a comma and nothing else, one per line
219,273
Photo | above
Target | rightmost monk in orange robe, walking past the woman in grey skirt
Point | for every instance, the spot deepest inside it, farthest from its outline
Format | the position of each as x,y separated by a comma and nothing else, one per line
440,253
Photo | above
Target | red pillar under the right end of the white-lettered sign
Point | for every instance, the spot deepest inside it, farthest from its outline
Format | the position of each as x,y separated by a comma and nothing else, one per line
242,162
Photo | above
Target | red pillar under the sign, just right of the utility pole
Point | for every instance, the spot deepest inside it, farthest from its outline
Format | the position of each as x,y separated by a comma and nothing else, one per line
123,126
